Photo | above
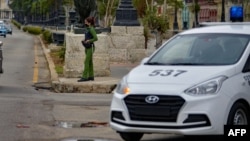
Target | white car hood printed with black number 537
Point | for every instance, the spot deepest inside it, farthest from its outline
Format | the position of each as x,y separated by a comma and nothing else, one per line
176,75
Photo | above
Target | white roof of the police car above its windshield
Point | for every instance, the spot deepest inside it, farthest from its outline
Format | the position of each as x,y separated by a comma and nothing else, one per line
233,28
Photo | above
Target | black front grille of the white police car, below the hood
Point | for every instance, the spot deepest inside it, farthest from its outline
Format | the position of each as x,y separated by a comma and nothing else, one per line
165,110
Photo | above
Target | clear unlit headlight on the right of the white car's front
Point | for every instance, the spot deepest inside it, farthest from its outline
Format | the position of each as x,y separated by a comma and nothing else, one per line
211,86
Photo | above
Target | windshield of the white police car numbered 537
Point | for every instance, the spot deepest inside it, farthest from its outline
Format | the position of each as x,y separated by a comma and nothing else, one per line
201,49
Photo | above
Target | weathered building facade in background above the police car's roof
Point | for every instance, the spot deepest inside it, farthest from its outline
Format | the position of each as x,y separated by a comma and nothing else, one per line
209,11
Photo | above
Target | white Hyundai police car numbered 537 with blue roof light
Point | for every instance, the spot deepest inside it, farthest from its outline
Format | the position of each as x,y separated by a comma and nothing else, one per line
194,84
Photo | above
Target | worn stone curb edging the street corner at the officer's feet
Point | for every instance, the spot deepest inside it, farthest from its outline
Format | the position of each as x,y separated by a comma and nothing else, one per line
70,85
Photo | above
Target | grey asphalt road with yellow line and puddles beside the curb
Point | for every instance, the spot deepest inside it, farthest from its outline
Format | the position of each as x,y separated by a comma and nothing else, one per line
30,112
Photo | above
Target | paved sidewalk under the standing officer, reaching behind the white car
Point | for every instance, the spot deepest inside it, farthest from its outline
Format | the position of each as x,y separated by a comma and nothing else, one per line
99,85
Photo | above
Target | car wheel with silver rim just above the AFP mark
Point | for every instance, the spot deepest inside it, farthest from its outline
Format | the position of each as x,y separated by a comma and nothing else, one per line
239,115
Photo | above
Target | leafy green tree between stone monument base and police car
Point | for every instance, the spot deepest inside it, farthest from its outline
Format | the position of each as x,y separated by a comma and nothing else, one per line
158,23
